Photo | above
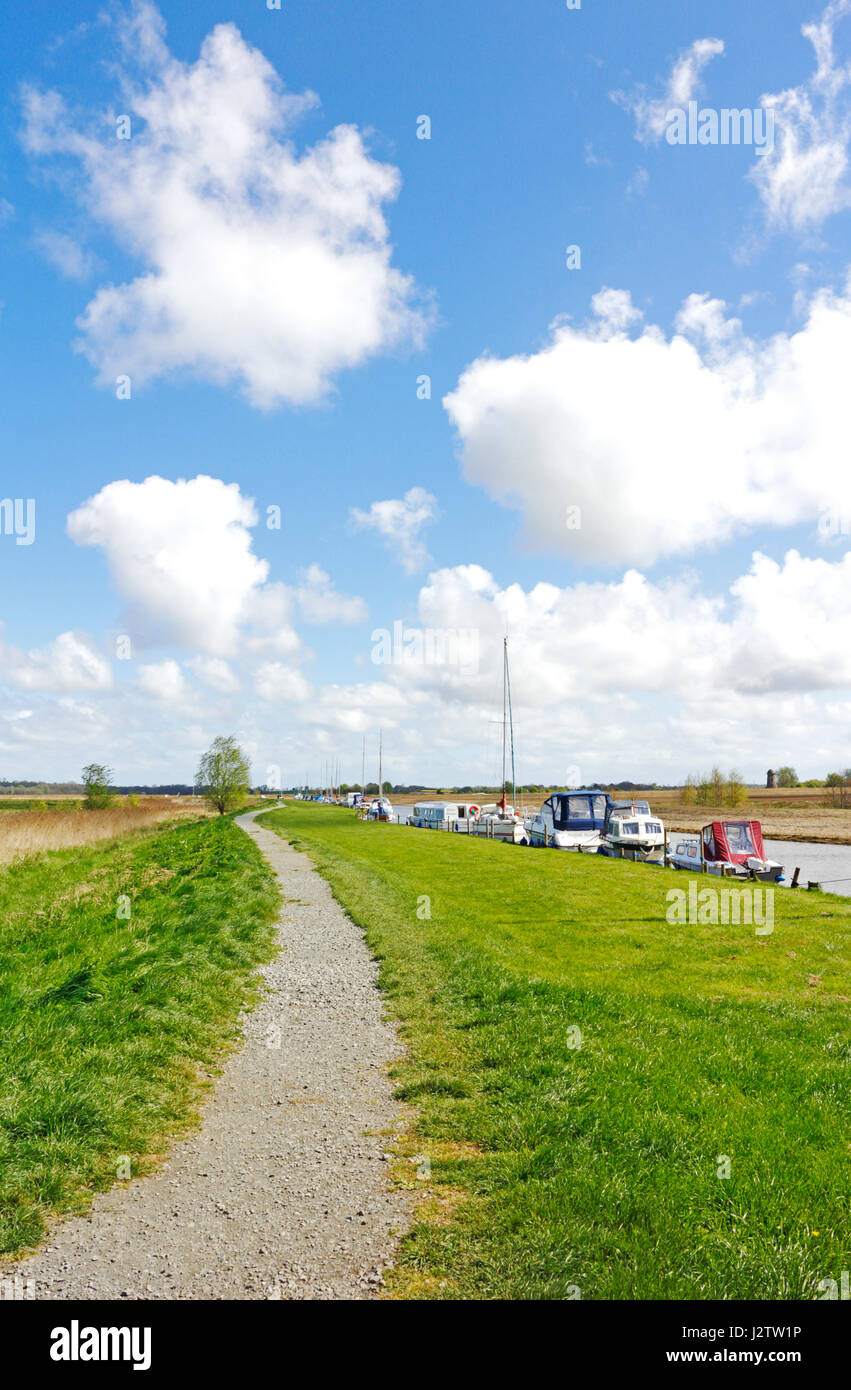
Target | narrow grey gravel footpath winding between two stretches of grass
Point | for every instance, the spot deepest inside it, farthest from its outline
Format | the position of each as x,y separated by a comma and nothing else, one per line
282,1193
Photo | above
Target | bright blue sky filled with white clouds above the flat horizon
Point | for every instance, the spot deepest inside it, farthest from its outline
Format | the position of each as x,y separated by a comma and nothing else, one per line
215,269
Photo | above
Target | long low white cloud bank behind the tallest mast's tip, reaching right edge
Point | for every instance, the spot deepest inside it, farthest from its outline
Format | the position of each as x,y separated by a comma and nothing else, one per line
774,633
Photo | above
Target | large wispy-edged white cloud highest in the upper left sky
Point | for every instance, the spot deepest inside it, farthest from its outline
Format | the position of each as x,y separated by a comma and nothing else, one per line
261,266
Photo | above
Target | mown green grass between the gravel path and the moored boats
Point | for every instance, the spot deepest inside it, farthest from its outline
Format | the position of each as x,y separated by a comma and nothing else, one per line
596,1168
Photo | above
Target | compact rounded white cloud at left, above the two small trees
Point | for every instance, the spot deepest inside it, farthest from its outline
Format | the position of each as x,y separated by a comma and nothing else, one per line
180,554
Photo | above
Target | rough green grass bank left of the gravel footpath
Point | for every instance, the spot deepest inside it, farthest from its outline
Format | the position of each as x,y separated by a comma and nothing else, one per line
109,1022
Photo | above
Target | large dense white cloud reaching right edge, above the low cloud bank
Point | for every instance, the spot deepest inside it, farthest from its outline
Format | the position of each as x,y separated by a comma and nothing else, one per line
663,445
